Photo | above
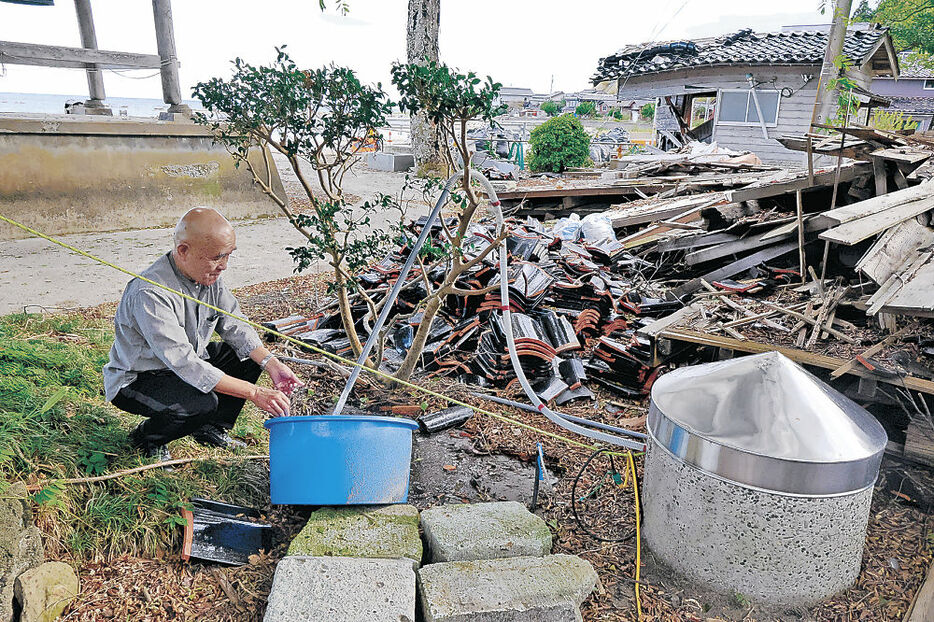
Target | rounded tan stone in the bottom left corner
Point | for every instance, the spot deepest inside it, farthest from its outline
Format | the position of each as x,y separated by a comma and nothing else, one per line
44,591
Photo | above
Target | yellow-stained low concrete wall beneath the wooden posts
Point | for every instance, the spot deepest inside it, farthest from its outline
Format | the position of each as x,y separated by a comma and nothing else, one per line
63,174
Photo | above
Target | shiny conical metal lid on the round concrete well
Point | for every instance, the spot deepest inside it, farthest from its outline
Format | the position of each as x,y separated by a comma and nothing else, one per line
764,422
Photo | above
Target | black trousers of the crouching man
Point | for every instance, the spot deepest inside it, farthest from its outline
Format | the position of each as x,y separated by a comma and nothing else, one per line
174,408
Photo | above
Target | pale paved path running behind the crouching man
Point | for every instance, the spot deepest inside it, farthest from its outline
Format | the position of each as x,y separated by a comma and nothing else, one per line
36,272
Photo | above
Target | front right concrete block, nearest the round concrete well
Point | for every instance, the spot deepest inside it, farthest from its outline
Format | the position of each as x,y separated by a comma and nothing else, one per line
518,589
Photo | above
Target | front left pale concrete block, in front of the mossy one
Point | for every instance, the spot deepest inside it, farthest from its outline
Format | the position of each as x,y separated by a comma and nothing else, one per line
342,589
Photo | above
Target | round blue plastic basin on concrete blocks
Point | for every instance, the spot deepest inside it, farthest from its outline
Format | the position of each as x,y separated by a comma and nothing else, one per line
339,460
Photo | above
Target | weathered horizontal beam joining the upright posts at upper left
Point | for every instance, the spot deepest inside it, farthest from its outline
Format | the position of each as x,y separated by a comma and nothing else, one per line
58,56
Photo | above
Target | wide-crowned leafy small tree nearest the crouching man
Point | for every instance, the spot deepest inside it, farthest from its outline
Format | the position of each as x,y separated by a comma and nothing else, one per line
320,118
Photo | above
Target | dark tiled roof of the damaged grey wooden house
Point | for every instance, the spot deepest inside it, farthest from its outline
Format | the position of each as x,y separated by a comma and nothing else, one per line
740,48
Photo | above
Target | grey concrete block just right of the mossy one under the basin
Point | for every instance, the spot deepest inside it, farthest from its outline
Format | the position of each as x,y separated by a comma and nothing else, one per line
484,531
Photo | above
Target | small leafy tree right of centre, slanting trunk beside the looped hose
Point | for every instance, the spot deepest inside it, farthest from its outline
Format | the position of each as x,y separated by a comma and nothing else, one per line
450,100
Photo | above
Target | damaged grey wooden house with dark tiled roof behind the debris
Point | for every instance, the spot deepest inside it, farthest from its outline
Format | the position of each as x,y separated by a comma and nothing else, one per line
736,76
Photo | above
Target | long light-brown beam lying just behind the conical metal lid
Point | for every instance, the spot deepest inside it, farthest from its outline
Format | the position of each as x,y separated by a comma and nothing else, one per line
799,356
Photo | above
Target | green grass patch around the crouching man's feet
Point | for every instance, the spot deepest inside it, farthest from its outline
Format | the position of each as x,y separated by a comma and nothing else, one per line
55,424
